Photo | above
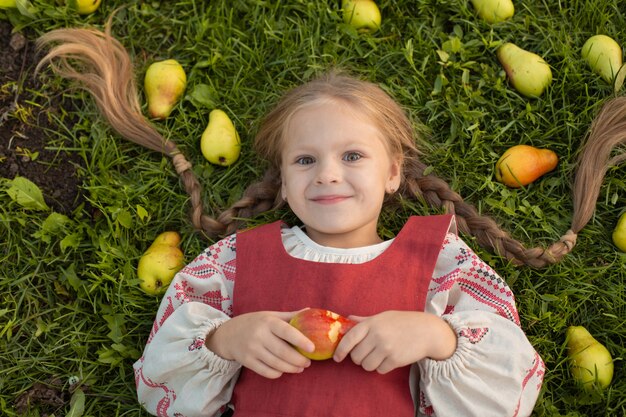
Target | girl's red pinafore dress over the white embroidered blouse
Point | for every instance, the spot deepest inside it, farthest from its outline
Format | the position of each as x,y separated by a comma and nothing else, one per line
268,278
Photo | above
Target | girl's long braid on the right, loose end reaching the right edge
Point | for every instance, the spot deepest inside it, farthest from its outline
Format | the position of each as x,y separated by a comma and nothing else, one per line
606,133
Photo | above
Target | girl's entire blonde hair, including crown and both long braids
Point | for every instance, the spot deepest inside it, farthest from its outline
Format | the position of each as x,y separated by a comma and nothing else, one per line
103,67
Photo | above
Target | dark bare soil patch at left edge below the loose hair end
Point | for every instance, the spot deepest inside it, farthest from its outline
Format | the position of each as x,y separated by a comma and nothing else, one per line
26,126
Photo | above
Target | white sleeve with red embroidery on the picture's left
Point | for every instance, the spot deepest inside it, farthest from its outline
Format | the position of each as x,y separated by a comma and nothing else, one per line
177,374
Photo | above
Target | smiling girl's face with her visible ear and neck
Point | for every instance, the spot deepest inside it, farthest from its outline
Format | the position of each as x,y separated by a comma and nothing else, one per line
336,170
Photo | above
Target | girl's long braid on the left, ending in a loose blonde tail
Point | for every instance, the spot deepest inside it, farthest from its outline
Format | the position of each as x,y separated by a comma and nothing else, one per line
103,67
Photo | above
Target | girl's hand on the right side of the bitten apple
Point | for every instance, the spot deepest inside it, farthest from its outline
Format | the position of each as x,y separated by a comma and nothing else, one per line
393,339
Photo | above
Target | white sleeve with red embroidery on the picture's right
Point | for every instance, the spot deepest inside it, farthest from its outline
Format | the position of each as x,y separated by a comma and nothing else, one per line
495,371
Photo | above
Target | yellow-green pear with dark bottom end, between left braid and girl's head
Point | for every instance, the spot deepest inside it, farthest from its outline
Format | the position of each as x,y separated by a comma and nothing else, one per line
220,142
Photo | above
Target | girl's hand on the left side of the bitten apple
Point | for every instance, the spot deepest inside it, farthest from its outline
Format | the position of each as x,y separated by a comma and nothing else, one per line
262,342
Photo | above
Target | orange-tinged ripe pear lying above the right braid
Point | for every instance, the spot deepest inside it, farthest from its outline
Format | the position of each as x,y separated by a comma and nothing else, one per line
522,164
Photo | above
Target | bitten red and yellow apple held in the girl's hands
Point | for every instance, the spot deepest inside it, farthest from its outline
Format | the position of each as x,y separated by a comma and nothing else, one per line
324,328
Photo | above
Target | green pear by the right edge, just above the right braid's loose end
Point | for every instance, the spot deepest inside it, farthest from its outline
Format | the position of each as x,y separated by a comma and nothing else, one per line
603,55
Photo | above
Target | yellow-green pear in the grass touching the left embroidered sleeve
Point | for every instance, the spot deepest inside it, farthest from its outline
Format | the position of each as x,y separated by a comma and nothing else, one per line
159,263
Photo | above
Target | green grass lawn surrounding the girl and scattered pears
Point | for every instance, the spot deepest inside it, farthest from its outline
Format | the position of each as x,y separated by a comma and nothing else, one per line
70,304
